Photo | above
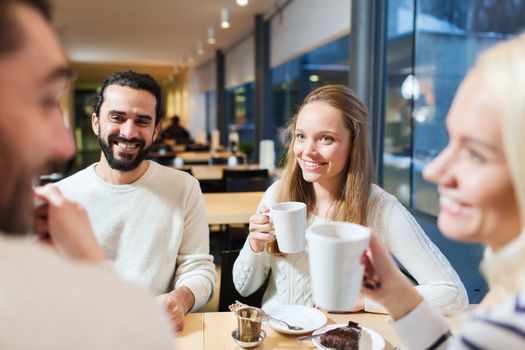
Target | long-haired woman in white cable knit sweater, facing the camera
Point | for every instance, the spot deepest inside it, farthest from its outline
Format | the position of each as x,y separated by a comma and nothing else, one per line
329,167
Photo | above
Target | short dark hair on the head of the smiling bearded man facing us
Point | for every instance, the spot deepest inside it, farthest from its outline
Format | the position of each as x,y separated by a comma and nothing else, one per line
133,80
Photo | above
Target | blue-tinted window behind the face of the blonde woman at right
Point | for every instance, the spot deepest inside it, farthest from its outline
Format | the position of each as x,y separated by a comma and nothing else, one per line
431,45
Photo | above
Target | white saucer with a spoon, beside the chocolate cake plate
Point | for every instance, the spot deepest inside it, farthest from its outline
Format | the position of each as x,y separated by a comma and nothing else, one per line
306,317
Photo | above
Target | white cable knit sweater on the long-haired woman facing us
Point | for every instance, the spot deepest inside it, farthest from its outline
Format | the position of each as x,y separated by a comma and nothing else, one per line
289,281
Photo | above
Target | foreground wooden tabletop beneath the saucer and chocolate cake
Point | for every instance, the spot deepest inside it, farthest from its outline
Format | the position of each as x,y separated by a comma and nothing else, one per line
213,331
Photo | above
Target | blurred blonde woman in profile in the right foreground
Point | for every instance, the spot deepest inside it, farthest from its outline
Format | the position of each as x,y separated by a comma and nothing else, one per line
481,179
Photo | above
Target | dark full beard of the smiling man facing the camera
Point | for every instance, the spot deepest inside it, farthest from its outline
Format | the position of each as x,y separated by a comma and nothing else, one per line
127,162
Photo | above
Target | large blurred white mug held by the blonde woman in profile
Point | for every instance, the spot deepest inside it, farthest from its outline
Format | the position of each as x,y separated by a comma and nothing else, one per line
334,253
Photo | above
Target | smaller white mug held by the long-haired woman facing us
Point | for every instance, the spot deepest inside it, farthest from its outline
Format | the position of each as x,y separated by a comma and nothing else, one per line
289,222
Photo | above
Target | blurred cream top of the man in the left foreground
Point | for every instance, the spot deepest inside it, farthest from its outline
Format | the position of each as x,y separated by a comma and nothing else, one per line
49,302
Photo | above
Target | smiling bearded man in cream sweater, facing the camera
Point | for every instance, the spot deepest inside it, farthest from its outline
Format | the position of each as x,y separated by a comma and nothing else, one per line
149,219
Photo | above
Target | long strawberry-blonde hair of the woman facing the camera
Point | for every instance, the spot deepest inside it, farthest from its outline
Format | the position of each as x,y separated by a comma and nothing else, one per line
353,195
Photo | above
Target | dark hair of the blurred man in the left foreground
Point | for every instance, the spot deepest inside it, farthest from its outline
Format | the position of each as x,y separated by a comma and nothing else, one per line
12,35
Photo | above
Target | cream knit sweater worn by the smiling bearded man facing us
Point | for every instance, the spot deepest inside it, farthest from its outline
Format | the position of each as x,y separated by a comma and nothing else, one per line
155,229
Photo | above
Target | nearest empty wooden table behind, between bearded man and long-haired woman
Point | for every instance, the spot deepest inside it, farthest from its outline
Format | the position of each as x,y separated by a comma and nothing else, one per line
231,207
